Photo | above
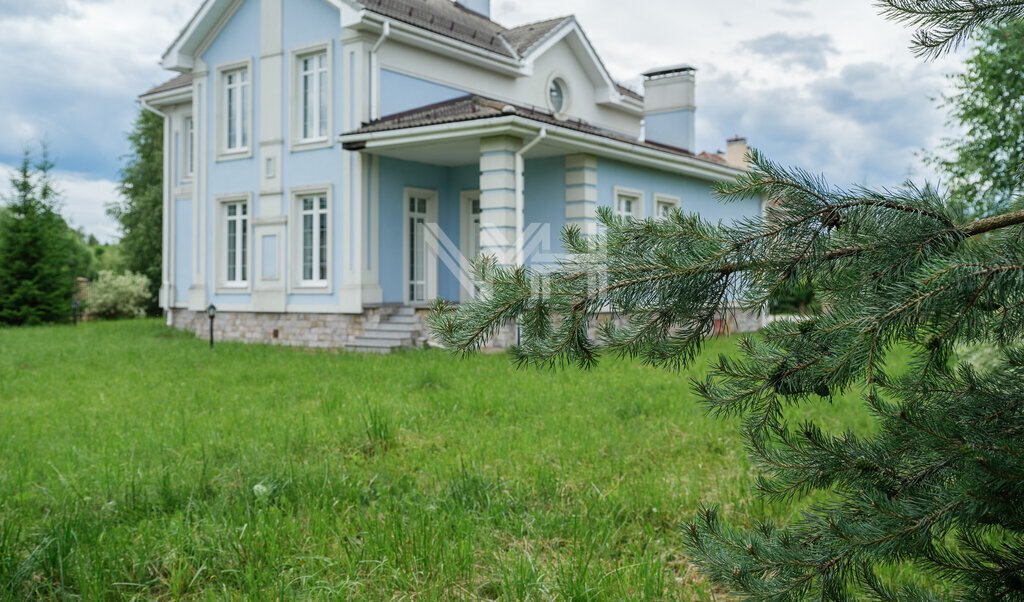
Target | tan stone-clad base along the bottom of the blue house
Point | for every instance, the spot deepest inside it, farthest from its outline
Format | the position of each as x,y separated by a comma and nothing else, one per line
336,331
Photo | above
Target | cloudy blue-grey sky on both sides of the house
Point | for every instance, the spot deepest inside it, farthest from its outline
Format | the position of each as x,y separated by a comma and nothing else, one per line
828,87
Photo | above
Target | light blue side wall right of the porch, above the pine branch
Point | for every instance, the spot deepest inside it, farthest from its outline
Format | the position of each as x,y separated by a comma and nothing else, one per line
696,196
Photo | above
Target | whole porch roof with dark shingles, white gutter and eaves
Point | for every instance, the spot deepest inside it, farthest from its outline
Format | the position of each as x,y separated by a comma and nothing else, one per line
474,116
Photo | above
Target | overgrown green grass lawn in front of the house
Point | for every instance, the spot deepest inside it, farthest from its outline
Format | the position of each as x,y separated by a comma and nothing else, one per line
136,463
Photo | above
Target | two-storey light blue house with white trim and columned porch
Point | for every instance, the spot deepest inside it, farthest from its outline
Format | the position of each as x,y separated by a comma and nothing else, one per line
458,137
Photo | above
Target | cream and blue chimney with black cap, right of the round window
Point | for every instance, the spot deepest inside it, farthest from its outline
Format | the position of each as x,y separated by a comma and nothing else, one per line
670,106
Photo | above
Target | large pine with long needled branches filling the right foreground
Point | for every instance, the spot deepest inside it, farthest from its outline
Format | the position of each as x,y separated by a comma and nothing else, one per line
940,486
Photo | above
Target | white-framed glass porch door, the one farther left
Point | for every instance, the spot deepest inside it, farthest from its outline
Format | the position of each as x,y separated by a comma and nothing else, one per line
421,246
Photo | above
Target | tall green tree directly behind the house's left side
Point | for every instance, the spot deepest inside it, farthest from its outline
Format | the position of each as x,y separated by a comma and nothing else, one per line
142,213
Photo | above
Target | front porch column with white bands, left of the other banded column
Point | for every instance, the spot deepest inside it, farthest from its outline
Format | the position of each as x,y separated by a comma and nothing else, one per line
498,198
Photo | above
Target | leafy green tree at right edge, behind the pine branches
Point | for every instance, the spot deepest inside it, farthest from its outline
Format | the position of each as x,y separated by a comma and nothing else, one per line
983,165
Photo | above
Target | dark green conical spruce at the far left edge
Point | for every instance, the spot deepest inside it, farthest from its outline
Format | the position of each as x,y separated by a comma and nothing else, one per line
38,257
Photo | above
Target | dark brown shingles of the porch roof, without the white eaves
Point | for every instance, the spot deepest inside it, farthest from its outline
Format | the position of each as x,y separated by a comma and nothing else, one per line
475,108
